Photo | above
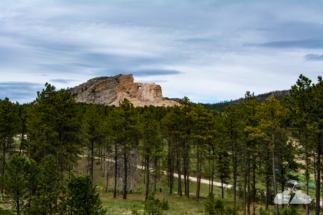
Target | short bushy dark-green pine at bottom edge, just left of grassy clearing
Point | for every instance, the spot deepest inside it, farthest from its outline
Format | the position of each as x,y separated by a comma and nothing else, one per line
82,197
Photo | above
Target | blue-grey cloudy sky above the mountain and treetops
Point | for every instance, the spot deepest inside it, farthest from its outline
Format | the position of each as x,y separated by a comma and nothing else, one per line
209,51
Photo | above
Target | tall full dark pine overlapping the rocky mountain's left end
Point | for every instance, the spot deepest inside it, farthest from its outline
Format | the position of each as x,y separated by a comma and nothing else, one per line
54,128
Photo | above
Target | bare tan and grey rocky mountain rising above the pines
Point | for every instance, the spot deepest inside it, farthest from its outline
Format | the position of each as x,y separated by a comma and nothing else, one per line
112,90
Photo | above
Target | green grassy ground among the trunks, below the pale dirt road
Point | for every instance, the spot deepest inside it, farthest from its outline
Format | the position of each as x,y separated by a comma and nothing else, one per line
178,205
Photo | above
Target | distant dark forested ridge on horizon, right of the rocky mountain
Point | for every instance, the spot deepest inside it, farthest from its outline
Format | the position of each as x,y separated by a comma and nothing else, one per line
260,98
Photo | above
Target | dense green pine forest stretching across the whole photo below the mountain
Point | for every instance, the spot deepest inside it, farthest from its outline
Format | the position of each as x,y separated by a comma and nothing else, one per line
237,146
